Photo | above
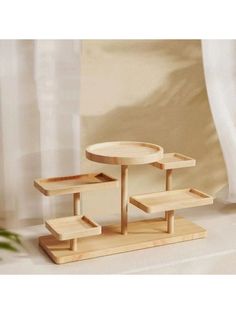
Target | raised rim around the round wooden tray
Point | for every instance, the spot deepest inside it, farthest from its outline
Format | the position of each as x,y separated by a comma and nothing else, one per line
124,160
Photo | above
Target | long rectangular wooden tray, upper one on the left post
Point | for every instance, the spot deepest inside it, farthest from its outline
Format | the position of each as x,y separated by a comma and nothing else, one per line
74,184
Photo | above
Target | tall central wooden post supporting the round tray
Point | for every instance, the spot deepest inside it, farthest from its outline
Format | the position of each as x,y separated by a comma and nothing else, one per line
124,199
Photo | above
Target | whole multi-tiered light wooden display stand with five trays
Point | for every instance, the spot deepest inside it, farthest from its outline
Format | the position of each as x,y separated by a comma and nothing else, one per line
78,237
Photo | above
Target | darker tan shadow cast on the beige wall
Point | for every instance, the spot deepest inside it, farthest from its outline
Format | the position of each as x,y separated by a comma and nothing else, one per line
175,116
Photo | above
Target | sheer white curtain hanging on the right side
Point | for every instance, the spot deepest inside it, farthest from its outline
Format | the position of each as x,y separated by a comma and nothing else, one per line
219,59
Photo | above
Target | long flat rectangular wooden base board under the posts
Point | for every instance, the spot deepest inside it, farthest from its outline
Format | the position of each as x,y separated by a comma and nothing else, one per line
141,234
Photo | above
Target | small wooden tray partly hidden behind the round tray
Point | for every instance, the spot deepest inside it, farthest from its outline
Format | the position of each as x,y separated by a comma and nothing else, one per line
174,161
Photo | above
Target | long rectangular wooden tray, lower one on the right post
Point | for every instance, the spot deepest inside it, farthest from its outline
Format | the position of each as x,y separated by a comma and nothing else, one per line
169,200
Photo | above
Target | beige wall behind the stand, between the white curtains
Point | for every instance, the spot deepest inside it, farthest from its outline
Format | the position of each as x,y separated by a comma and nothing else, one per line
150,91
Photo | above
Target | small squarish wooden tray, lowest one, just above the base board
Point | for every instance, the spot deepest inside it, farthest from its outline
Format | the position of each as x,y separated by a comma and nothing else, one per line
72,227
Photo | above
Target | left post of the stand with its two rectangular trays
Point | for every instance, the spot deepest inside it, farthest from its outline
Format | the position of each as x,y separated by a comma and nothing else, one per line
74,227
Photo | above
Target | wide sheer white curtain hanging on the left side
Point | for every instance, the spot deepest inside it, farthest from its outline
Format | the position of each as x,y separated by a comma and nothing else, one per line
39,123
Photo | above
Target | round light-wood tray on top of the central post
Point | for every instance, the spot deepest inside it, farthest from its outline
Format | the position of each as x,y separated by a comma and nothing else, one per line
124,153
